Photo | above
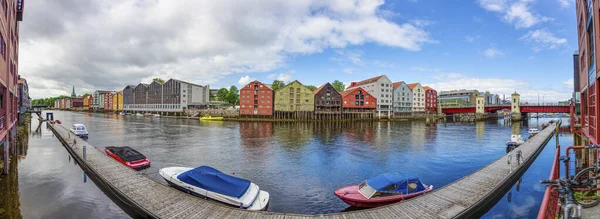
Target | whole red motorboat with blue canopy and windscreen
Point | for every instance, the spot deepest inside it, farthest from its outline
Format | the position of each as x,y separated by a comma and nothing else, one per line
383,190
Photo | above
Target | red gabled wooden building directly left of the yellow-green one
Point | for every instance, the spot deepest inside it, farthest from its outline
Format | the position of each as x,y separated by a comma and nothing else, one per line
256,99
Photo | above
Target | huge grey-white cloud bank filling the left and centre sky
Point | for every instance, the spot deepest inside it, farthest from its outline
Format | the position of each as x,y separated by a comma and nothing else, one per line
190,40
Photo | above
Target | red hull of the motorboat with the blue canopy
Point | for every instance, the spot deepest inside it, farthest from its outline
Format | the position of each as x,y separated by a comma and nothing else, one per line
351,196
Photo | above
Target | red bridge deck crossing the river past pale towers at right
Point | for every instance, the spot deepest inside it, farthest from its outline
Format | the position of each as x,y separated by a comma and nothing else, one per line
524,109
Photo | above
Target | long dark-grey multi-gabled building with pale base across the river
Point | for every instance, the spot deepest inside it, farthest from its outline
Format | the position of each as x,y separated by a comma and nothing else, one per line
171,96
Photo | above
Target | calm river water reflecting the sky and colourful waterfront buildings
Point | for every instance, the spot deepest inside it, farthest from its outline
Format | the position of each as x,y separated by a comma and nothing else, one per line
299,164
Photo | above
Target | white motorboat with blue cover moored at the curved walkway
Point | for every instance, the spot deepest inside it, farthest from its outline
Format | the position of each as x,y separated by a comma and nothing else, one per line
211,183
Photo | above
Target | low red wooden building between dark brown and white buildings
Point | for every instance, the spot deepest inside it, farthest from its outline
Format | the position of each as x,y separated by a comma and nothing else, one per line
358,100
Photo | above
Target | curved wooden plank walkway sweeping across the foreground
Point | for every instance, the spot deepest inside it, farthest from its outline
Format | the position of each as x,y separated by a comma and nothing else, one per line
468,197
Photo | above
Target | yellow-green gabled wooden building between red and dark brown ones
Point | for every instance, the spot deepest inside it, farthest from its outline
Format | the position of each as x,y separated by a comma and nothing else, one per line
294,97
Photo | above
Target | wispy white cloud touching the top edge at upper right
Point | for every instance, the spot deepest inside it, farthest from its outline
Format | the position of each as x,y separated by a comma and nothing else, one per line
516,12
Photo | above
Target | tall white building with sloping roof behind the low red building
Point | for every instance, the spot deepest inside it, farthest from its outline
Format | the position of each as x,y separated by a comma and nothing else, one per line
380,87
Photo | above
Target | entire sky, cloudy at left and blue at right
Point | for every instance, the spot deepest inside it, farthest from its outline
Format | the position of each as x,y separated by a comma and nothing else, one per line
501,46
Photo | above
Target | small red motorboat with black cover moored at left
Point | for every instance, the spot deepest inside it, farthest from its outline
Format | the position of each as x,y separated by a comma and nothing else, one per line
128,156
